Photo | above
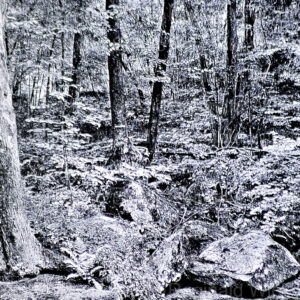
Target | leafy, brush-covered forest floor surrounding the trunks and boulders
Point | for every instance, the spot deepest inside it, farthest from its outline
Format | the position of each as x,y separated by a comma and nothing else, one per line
73,199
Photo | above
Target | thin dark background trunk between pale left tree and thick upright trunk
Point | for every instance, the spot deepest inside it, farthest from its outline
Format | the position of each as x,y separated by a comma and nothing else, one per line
77,57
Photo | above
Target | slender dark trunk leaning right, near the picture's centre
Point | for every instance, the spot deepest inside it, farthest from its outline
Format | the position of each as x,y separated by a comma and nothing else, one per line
164,46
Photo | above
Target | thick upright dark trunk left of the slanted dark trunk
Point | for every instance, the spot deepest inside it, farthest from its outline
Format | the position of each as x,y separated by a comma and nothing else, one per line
116,90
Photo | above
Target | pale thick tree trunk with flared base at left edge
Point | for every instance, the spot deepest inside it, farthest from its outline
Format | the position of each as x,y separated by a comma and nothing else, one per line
19,252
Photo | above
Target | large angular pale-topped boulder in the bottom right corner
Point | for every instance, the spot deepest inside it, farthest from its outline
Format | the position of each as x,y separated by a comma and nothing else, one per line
253,258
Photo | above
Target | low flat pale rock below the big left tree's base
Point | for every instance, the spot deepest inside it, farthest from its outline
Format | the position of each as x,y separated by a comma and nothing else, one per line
52,287
